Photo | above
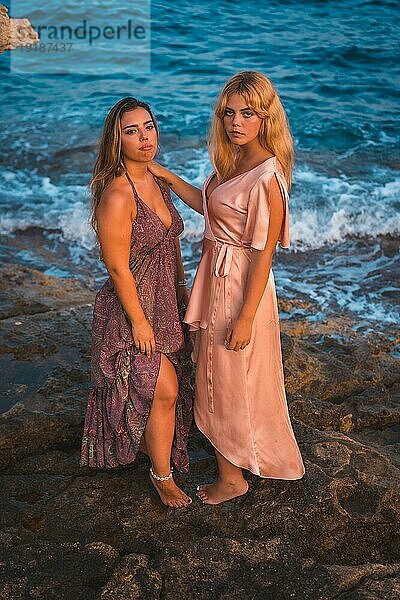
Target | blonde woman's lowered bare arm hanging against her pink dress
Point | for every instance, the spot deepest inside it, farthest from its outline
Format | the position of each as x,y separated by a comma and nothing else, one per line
239,336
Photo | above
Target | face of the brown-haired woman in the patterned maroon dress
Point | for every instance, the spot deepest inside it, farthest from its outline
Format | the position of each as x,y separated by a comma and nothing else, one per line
138,135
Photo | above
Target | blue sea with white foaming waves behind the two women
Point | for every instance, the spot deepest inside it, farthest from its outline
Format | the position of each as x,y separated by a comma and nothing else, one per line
335,65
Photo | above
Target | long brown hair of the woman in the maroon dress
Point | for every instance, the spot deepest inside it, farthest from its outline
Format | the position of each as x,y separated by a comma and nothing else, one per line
109,162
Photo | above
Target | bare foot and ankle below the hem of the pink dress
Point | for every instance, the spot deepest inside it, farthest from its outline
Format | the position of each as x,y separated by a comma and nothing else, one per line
230,483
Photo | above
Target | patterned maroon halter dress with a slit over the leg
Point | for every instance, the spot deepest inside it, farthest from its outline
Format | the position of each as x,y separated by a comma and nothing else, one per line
123,380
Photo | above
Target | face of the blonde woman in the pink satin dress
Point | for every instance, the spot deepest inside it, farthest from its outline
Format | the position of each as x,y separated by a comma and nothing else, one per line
241,122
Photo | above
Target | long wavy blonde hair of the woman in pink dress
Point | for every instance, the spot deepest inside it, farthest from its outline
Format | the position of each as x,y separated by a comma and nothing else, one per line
274,135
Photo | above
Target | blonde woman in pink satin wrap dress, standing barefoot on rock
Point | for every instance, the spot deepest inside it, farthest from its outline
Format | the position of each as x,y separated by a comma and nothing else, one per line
240,402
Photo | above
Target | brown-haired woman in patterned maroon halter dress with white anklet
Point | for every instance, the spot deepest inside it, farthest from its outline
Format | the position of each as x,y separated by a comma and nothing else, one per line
140,397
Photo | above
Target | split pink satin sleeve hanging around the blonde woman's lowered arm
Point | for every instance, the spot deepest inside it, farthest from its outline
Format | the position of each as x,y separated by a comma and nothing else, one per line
258,211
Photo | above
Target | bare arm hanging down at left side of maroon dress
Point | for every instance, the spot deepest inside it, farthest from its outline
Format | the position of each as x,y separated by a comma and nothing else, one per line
114,222
